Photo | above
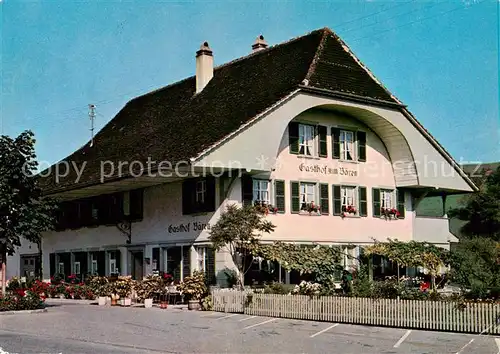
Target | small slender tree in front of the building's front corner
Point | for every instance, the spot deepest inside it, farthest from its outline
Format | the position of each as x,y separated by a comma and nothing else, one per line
239,230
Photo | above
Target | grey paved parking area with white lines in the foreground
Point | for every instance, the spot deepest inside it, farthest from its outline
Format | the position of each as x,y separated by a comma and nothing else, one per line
93,329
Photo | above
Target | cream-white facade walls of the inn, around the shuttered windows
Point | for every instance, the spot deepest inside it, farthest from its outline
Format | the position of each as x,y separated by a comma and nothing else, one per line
162,217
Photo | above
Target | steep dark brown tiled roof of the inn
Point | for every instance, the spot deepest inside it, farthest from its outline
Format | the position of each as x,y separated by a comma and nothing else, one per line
175,124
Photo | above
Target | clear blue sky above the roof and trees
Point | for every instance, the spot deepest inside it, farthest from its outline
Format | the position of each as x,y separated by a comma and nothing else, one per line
441,58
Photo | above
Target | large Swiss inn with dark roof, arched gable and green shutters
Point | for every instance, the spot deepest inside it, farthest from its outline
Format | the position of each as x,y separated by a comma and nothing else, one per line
302,126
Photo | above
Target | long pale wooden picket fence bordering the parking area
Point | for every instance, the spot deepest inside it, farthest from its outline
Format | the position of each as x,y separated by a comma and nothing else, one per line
429,315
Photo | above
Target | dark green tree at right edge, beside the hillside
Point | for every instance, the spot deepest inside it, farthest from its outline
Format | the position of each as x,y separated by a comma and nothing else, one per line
481,210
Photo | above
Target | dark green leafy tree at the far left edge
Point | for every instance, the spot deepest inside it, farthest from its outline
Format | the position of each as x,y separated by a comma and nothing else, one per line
24,214
